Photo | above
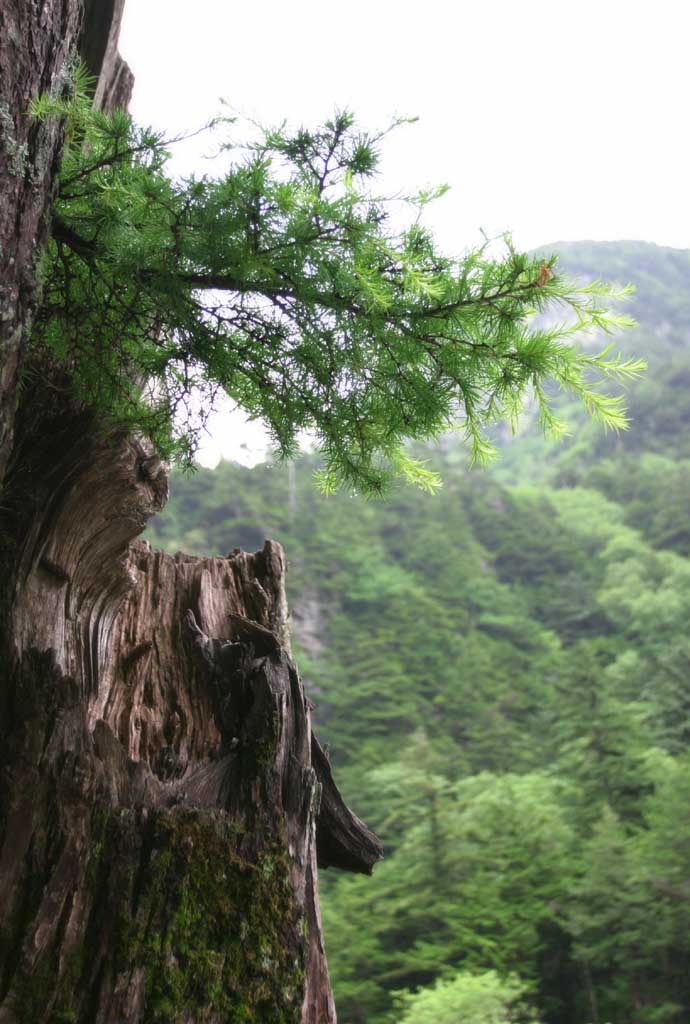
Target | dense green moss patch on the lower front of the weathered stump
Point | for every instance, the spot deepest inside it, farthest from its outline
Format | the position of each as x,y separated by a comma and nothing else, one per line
218,935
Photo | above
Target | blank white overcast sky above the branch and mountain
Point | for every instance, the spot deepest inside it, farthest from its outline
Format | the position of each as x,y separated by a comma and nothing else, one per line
553,120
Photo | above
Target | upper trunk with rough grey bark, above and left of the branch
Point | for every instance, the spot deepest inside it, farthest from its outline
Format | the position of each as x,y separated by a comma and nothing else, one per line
39,45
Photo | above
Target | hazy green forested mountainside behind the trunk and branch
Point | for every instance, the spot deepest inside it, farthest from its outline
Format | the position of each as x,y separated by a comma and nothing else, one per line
503,674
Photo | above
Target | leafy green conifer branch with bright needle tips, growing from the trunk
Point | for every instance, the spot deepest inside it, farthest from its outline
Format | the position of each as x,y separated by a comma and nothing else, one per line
287,285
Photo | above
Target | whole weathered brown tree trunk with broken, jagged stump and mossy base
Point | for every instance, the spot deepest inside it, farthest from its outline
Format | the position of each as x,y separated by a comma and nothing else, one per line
163,801
